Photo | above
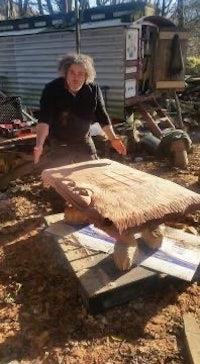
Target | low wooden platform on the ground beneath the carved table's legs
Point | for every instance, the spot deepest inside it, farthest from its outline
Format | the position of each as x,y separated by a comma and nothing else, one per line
101,284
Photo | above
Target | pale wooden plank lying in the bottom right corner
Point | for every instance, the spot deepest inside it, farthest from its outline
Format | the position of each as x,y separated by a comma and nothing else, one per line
192,336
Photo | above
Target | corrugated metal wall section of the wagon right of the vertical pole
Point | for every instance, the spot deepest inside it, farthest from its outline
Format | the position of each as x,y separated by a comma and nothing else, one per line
107,48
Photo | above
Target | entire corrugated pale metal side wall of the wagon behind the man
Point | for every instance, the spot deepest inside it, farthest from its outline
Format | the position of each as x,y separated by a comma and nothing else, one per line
27,62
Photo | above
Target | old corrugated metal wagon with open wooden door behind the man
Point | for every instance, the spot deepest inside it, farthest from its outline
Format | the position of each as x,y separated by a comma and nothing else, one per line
132,51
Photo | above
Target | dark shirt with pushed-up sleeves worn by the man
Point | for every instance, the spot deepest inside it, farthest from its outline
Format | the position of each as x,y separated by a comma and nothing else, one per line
70,116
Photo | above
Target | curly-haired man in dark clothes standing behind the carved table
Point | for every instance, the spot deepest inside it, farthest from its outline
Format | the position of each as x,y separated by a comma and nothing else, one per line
68,107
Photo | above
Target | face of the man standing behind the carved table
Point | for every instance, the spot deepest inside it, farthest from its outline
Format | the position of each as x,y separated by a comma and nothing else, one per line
75,78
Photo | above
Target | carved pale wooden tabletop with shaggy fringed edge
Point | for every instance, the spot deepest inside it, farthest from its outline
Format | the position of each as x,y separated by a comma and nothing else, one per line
123,195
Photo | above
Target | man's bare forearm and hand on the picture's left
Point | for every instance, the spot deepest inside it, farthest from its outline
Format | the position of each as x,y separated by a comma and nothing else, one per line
42,131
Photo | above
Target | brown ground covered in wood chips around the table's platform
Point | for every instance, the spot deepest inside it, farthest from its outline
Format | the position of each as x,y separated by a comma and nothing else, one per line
42,318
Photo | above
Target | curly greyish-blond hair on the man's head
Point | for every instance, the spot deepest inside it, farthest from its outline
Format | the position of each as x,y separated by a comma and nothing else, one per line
81,59
